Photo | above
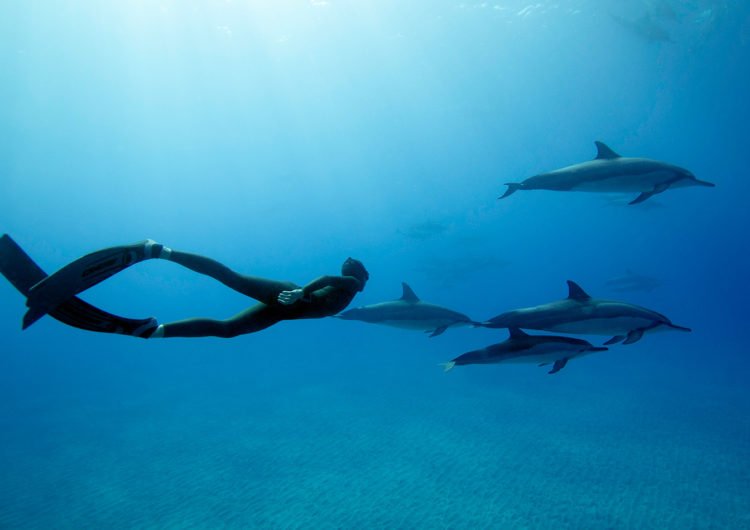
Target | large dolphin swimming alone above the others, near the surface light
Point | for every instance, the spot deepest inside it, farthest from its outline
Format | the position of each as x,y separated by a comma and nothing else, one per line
612,173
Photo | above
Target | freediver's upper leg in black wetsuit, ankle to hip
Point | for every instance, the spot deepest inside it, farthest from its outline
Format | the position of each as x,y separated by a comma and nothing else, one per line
261,289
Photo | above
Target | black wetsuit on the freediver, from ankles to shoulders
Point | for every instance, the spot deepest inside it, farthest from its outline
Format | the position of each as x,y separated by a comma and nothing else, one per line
325,296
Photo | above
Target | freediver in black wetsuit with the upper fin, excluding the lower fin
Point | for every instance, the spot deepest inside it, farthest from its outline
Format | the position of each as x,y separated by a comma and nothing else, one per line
278,300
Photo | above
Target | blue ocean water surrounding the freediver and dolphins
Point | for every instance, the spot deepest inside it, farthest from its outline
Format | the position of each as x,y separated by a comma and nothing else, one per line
280,137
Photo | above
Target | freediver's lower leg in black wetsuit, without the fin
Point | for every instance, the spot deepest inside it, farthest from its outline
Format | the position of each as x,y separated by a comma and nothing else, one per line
254,319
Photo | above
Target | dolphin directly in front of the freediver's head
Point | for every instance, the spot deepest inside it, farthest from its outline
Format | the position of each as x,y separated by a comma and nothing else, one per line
409,312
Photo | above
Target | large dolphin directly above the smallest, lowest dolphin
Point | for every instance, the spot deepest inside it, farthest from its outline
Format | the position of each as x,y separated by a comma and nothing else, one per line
579,313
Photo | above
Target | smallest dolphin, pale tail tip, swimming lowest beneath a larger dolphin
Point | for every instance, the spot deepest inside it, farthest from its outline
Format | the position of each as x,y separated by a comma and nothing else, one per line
520,347
